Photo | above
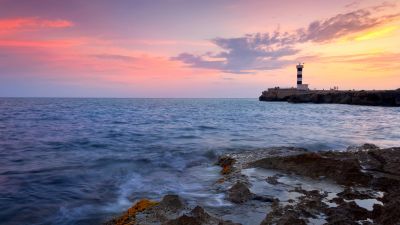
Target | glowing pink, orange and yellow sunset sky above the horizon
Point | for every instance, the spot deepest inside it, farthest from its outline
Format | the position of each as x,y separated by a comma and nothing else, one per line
191,48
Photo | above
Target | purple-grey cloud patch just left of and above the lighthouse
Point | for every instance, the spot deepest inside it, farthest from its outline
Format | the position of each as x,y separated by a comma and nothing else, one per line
245,54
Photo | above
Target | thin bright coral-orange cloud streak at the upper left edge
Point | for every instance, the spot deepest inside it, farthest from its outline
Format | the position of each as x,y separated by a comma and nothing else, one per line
33,23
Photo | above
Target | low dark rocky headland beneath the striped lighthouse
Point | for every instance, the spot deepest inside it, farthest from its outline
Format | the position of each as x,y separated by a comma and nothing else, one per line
370,98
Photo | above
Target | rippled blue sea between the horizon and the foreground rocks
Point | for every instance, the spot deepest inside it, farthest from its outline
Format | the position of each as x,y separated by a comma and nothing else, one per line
80,161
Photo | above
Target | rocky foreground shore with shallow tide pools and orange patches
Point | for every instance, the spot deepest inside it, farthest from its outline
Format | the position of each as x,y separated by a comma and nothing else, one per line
357,186
